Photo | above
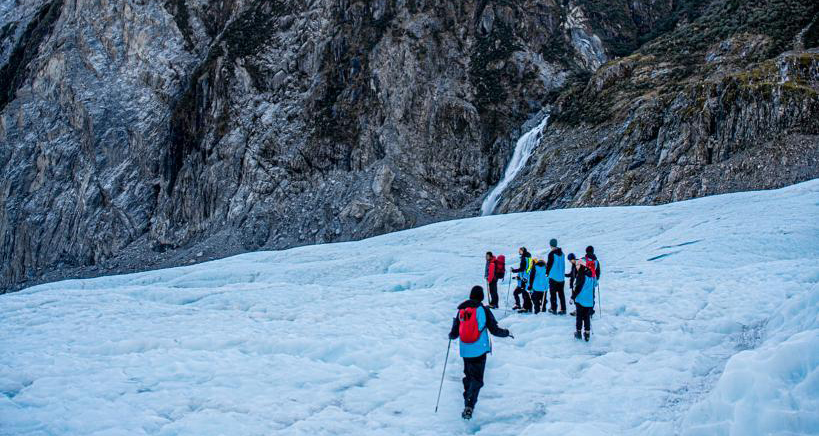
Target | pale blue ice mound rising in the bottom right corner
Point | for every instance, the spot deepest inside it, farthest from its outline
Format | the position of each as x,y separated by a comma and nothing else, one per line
773,389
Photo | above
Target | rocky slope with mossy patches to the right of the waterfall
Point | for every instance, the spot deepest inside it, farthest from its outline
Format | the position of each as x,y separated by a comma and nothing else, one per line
723,103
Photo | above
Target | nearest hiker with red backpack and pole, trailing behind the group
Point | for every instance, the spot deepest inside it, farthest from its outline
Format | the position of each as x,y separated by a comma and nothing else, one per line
471,326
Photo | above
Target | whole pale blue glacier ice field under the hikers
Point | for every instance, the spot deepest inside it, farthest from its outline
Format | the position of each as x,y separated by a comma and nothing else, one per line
708,327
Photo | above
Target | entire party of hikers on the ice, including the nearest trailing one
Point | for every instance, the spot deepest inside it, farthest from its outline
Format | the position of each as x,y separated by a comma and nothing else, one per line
534,278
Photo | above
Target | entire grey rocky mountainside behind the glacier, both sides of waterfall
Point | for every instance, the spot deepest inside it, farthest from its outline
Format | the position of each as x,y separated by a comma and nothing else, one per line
139,134
